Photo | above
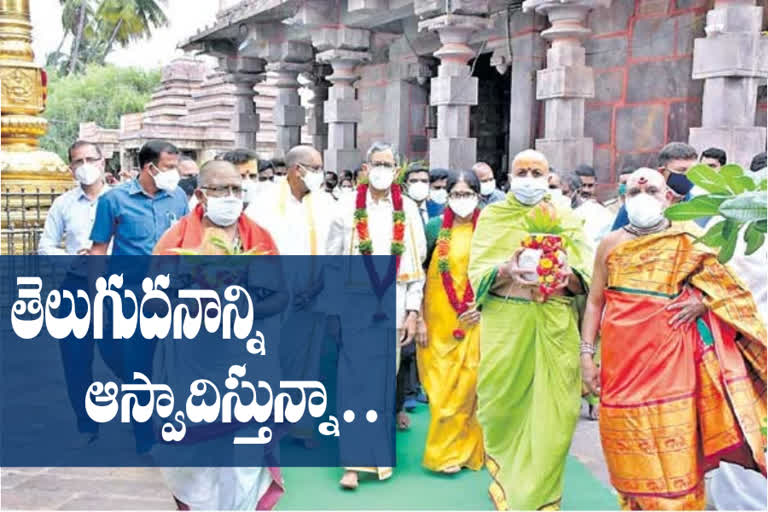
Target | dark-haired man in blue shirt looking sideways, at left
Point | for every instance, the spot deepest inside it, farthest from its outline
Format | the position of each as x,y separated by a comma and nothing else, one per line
136,213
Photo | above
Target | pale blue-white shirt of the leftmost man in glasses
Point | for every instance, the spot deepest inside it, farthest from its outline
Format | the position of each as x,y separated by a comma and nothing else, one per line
69,220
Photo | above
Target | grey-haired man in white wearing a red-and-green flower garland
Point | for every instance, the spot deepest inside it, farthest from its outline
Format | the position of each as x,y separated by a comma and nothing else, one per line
381,220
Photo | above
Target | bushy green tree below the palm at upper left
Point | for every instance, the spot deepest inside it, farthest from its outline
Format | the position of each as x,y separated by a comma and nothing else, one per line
102,94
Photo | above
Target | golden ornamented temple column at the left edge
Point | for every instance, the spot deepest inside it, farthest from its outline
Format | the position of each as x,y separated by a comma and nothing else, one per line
30,179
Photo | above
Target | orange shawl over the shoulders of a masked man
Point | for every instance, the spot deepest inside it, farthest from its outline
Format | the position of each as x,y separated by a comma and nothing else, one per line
188,234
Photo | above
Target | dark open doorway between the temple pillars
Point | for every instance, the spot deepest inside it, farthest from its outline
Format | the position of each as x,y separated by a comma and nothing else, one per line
489,119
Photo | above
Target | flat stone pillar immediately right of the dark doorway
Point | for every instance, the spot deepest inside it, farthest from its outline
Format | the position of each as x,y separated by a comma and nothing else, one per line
528,52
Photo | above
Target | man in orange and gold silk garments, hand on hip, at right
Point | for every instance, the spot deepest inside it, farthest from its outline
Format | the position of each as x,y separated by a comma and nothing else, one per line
682,357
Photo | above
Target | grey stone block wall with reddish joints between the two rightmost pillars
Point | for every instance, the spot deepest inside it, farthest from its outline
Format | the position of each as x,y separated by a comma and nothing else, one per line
642,54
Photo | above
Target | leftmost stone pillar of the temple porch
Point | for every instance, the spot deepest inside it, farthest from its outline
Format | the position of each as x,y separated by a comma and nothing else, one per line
244,73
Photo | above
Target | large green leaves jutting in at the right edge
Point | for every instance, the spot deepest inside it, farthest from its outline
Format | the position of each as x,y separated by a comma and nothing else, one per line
738,199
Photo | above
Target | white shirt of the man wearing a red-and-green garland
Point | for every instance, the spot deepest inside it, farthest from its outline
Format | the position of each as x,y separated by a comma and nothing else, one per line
343,240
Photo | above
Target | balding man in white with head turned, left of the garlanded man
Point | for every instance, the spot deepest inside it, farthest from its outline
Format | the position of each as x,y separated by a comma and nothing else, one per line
297,213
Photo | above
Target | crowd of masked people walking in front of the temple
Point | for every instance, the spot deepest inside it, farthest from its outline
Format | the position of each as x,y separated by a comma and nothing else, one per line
639,313
